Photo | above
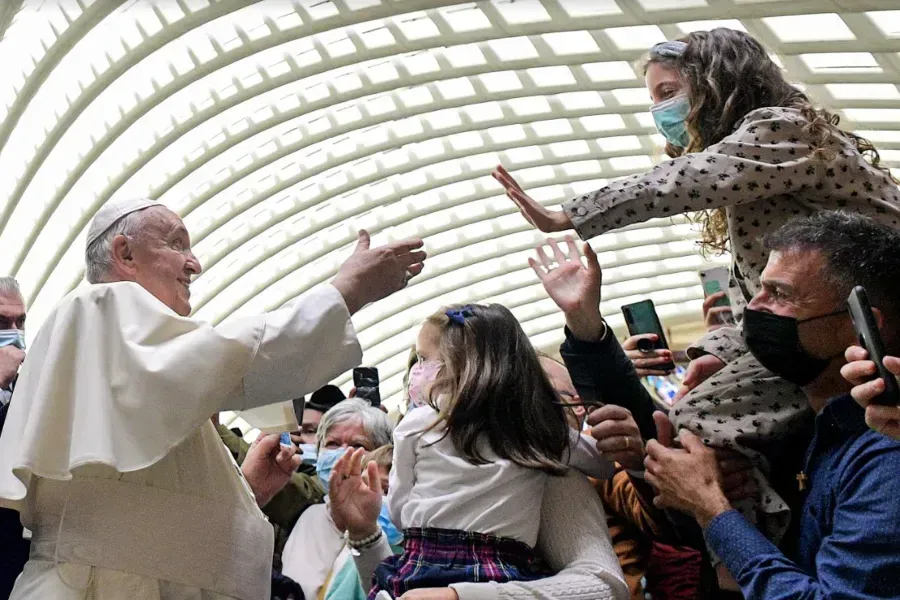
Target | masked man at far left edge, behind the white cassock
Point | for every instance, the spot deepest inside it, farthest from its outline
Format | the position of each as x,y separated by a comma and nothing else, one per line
12,353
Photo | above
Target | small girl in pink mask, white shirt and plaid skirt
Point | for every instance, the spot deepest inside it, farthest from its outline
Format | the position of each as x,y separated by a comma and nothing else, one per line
471,465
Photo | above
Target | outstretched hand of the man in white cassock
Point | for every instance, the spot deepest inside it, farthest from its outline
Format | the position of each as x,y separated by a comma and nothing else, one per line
371,274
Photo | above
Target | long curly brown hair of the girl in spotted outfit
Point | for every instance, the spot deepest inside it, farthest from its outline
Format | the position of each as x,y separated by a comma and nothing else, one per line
729,74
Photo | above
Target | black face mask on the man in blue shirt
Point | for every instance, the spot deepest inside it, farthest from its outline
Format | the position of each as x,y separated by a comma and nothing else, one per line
775,342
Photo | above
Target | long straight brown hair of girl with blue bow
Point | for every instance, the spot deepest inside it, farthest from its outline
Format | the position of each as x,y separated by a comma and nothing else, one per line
493,388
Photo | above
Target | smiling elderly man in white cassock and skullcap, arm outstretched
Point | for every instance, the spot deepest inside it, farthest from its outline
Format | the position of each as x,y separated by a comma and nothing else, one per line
108,451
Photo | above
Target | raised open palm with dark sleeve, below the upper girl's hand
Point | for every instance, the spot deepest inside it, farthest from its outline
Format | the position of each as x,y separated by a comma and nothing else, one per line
574,287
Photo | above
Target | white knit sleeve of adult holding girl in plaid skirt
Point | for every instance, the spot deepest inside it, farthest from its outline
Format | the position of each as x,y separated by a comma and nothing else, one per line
578,548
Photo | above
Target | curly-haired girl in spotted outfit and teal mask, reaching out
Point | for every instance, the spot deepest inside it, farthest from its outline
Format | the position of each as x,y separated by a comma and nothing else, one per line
748,152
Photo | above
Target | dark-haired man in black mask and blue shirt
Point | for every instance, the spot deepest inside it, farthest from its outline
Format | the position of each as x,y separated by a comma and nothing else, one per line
845,542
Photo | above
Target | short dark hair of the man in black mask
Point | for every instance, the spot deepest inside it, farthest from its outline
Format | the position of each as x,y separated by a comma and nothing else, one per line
858,250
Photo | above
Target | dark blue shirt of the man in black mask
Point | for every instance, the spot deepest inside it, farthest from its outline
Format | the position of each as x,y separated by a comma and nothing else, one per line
849,530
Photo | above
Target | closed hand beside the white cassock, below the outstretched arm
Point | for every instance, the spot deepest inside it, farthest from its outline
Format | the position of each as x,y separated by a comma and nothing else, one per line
268,466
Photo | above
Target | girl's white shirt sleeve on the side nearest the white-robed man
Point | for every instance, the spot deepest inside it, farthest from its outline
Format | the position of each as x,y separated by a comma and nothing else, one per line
403,470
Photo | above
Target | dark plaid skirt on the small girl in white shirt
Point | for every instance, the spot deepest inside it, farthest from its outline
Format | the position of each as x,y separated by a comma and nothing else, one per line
439,557
